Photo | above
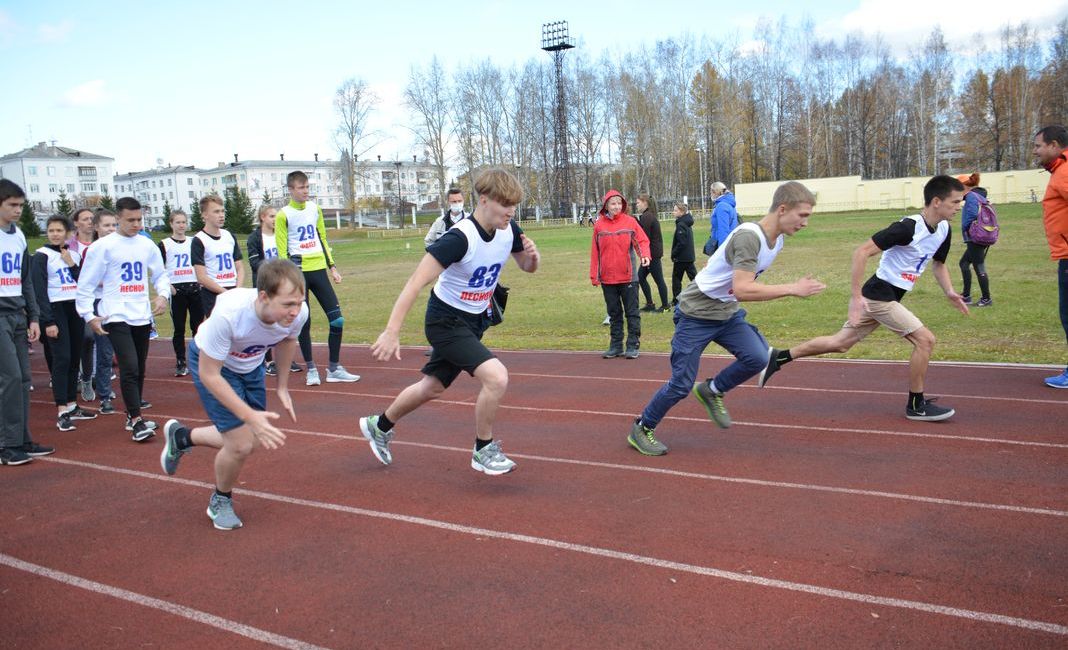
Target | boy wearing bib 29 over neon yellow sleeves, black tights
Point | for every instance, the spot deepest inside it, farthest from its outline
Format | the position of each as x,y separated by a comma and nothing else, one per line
302,236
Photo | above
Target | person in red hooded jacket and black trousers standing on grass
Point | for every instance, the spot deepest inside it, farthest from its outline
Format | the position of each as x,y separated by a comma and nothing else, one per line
619,247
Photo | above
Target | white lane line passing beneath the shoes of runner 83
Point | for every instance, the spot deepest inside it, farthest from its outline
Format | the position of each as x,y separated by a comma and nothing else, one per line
684,474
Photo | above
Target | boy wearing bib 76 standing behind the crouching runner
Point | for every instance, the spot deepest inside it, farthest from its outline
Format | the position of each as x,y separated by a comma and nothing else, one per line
216,255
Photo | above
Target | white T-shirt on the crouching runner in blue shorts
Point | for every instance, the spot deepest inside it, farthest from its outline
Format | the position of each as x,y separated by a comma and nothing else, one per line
237,337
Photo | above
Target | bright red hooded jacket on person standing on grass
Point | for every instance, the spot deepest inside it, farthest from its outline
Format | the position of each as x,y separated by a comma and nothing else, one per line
618,245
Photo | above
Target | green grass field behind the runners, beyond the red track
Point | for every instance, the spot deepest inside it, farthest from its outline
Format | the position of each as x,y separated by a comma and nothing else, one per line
559,309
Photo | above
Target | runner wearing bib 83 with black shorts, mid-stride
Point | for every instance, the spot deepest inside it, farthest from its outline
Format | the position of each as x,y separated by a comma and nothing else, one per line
467,263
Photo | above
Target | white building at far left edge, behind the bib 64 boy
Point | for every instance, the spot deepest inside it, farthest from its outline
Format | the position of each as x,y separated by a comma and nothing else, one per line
44,170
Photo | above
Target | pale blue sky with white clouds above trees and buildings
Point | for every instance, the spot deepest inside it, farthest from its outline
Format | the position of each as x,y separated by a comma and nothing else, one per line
198,82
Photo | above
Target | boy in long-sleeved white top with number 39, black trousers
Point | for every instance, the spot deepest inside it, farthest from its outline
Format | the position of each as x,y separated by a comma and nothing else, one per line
122,264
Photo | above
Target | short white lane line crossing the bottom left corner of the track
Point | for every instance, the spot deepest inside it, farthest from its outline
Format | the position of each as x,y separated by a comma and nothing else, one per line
154,604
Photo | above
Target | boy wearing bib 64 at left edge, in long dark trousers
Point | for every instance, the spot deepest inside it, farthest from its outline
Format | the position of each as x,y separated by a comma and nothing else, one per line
19,326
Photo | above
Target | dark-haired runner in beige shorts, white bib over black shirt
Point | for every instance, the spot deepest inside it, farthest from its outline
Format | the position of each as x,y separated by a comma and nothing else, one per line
908,247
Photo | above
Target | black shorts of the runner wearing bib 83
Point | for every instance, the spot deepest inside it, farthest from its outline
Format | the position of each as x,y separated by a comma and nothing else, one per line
458,346
